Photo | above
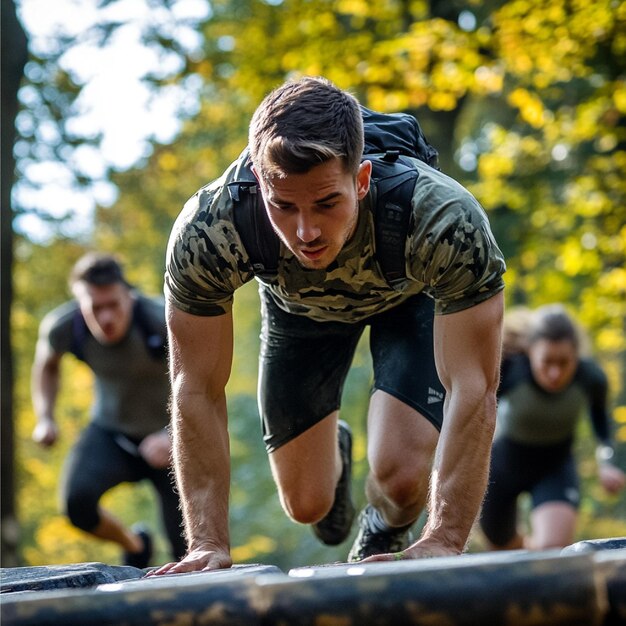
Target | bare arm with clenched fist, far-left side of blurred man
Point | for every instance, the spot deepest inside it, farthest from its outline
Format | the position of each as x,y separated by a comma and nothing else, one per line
45,382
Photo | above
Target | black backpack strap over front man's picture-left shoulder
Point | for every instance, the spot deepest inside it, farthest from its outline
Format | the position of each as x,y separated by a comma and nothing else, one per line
251,220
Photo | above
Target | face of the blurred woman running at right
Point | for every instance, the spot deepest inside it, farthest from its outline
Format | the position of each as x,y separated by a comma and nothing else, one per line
553,363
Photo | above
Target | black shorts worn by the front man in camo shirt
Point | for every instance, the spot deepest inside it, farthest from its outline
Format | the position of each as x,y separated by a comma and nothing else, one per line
304,364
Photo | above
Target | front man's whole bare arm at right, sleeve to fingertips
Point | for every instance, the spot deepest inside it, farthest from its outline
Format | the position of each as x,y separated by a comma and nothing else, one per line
467,353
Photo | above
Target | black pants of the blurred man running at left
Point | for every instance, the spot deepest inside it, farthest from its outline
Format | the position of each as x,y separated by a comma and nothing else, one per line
99,462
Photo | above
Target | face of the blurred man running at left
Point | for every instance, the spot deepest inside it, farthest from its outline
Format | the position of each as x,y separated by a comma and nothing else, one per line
107,309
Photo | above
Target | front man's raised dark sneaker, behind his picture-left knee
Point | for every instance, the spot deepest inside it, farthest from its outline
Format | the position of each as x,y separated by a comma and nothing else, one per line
336,526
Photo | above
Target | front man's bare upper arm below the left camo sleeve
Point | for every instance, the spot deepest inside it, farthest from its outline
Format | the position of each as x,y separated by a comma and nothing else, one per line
201,351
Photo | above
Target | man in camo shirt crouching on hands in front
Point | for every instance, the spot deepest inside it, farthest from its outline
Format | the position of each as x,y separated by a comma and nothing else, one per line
306,146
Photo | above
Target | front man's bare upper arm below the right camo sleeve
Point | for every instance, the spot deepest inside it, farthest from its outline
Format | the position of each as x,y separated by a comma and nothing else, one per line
468,346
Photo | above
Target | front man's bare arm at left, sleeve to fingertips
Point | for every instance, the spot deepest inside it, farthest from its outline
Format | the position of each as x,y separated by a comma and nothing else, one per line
201,351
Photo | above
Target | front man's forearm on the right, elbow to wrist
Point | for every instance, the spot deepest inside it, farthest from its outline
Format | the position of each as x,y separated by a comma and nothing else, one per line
461,469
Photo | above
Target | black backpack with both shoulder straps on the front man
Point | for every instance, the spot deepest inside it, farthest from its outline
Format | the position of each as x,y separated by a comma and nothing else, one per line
388,137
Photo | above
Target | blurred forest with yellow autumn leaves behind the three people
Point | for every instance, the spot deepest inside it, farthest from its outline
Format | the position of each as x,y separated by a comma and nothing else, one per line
526,103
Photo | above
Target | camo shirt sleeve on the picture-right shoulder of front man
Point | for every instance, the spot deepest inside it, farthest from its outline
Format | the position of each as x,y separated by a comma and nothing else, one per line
452,250
